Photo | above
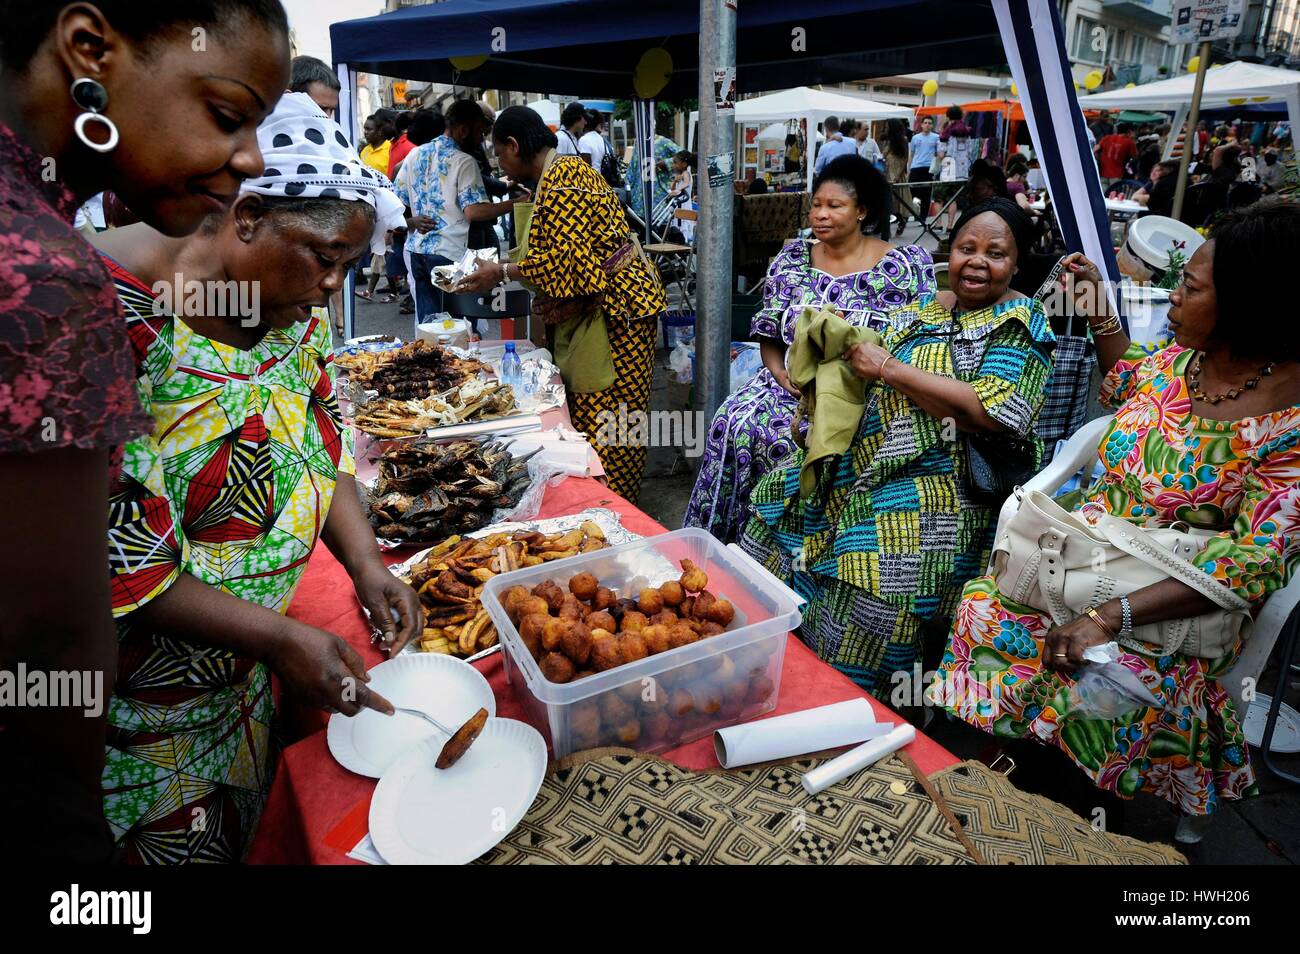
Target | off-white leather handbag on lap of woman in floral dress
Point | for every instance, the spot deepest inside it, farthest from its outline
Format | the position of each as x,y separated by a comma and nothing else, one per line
1065,563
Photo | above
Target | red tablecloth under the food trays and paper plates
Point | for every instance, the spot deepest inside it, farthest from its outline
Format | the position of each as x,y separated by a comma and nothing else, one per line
318,810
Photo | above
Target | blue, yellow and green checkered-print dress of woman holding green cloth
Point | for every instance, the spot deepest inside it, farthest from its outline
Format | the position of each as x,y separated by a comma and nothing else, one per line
890,535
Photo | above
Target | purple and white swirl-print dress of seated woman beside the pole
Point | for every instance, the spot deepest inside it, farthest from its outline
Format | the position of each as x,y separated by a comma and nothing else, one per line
751,435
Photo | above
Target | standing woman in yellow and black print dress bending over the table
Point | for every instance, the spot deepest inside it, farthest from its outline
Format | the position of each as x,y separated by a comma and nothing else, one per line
580,257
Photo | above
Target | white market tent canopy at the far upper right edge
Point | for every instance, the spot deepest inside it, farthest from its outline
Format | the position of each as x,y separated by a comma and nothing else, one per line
1233,84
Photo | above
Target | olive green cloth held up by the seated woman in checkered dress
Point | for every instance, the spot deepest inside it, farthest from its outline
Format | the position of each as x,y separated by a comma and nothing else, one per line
834,396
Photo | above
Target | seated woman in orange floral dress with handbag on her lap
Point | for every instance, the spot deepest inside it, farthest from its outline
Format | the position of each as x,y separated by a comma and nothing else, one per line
1207,432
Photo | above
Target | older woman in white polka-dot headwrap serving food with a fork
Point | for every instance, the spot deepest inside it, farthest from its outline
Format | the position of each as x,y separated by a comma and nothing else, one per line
218,510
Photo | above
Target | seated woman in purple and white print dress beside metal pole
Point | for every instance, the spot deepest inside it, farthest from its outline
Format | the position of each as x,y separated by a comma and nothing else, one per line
850,270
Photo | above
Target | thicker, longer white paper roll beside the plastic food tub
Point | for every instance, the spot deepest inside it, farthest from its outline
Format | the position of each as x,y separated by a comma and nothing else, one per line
798,734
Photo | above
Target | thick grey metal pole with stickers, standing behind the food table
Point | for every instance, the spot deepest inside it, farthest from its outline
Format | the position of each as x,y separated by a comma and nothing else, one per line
717,202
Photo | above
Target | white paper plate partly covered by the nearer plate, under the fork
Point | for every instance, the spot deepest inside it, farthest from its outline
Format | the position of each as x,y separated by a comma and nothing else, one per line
447,688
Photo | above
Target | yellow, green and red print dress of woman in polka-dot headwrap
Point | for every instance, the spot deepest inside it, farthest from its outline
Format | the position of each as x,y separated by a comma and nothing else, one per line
233,488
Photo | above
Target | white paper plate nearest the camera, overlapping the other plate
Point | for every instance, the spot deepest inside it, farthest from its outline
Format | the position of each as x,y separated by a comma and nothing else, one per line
427,816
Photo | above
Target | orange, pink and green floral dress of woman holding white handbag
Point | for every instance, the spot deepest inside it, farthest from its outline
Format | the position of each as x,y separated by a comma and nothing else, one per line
1160,465
